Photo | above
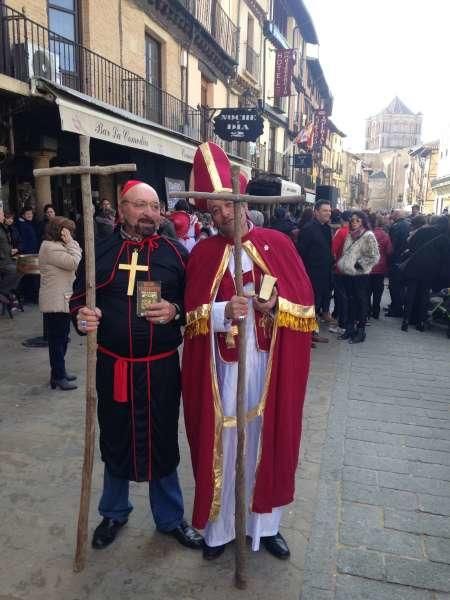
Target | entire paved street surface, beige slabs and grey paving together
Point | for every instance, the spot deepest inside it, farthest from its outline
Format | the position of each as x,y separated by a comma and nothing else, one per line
371,515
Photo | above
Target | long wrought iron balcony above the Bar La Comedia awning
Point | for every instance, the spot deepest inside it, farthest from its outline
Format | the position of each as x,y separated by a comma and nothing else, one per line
28,50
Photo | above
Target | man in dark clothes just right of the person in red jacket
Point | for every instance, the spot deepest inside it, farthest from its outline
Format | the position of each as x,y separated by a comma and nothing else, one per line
398,232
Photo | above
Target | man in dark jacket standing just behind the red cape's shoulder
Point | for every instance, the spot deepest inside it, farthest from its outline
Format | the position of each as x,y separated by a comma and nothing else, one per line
314,246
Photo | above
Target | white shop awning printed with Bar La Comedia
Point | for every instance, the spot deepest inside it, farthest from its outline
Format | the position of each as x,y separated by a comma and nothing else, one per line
84,120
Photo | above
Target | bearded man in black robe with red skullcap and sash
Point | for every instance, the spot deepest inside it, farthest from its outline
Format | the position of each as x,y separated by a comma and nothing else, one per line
138,374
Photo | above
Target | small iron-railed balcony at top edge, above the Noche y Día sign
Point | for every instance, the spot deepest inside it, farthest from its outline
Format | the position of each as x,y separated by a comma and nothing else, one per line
217,23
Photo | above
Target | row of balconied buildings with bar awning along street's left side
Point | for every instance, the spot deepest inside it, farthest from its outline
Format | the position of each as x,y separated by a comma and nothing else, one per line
144,80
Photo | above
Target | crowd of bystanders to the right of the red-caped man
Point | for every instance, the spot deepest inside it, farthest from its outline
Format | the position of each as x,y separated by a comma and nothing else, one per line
349,255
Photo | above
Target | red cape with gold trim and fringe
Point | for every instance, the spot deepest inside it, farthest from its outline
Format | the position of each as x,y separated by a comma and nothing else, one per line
282,402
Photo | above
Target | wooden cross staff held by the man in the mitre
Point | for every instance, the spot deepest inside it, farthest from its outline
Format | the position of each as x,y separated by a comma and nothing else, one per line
240,502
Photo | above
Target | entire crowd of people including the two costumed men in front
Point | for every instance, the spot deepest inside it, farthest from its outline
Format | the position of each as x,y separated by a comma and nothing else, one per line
321,264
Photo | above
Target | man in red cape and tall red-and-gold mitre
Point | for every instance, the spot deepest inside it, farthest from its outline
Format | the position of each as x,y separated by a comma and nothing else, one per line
278,334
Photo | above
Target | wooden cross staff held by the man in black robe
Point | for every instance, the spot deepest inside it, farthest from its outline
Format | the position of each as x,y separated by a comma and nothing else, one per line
85,170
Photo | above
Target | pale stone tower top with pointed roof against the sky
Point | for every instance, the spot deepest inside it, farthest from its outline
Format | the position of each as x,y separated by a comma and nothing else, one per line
394,127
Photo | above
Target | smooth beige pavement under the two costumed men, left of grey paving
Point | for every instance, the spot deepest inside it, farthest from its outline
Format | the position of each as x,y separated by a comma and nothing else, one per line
41,437
